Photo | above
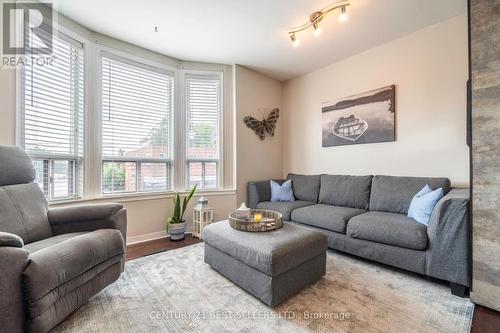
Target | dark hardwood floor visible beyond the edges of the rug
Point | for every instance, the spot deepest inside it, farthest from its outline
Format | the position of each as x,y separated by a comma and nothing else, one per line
484,321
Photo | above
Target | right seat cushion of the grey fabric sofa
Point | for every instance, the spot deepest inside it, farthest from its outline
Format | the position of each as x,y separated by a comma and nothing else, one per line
388,228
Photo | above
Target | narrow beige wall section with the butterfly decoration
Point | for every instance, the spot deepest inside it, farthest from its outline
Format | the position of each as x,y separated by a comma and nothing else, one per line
256,159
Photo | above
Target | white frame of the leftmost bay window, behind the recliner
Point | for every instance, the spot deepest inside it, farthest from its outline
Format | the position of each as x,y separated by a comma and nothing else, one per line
77,160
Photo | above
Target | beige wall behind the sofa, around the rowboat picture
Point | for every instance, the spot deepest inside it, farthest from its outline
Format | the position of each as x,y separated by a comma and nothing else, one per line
429,68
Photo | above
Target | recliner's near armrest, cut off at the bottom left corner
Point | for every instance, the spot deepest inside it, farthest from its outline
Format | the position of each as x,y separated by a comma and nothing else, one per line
13,262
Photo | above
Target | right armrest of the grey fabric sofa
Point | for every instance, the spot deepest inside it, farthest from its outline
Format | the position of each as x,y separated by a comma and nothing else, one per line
448,255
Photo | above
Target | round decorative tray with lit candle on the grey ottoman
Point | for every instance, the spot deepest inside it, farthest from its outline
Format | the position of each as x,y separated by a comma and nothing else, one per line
260,220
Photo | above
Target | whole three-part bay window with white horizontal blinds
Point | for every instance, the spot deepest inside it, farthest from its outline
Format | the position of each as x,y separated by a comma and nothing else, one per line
129,123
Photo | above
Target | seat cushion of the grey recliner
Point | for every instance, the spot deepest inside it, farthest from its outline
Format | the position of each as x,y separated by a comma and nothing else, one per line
72,258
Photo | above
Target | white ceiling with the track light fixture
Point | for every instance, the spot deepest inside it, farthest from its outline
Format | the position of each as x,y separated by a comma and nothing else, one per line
253,33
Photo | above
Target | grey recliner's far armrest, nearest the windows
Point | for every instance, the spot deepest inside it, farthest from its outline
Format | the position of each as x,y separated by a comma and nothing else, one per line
88,218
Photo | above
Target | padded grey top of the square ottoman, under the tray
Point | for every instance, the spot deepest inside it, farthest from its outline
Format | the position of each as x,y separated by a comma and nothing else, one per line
272,253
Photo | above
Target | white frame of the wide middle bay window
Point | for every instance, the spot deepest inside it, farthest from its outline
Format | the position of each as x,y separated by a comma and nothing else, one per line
169,162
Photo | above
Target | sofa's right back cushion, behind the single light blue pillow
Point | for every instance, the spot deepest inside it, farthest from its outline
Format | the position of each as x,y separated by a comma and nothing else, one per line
394,194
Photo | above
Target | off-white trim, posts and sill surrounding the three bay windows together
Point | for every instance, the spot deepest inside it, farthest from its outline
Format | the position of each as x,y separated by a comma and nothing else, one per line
91,160
